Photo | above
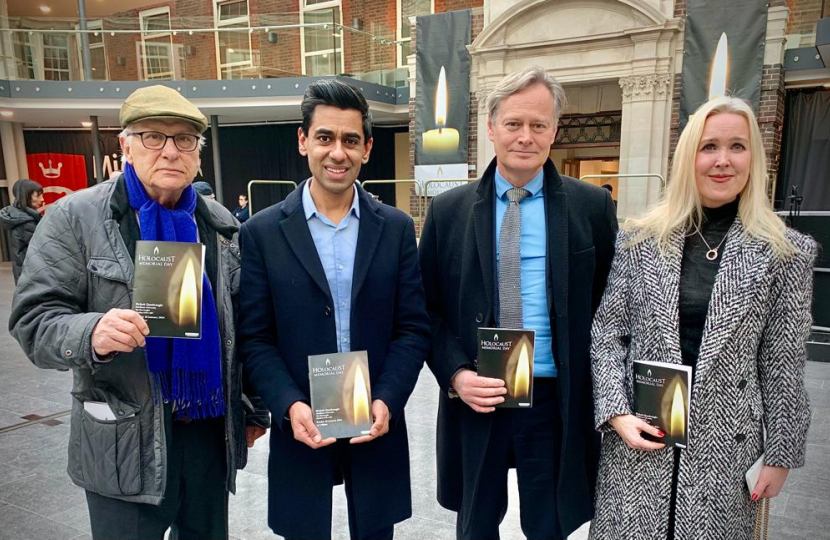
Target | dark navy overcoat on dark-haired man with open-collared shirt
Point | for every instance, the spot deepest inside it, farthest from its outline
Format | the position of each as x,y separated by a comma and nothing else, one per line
287,315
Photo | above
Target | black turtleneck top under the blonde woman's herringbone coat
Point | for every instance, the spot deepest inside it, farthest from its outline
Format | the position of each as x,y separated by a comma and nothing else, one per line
697,276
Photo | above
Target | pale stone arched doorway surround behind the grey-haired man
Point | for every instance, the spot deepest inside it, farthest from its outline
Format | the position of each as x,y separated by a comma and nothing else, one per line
633,42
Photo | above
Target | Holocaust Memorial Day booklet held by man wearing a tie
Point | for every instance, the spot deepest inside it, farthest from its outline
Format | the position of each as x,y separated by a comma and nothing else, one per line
507,354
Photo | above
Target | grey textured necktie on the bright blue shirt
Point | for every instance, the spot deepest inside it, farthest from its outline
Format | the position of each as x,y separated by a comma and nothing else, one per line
510,263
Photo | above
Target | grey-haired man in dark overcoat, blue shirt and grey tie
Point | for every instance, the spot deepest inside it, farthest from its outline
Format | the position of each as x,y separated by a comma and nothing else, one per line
523,247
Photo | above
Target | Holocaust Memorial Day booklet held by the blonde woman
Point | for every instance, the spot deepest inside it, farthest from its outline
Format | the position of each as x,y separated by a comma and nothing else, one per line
661,398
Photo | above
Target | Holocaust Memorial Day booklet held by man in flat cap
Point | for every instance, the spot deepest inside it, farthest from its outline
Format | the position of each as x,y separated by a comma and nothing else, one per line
167,287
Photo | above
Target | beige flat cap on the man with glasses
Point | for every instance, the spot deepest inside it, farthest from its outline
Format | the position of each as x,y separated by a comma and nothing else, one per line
160,103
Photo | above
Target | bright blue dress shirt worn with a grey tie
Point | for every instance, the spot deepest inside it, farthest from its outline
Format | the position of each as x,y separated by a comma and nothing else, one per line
533,250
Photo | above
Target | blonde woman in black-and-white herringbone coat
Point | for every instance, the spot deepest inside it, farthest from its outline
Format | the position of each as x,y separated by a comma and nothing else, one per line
710,277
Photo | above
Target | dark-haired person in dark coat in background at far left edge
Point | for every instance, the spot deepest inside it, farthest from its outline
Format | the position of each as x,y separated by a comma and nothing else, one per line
21,219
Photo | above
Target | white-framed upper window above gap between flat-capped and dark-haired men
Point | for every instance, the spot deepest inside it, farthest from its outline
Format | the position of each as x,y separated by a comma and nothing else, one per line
233,47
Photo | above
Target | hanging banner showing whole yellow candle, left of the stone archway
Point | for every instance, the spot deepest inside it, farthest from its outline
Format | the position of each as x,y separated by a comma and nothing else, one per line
442,100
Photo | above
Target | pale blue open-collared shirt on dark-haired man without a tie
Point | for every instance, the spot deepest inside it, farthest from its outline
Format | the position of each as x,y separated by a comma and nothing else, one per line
336,245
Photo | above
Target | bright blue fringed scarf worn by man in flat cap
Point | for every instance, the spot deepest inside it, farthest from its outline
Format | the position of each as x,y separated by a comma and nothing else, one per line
189,371
